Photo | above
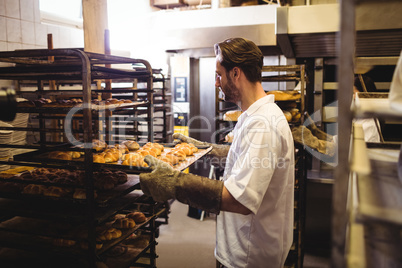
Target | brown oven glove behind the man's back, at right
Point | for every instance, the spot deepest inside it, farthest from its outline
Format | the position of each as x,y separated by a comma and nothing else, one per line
304,136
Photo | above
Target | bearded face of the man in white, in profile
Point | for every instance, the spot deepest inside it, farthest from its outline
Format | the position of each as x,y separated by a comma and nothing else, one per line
225,83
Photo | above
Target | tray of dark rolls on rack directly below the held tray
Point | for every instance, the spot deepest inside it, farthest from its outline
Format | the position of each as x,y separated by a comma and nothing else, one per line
51,184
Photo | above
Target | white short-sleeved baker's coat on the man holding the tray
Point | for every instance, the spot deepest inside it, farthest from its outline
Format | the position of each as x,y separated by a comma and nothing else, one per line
259,174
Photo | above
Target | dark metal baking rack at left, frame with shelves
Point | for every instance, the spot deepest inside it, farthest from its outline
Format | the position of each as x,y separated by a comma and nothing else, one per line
86,69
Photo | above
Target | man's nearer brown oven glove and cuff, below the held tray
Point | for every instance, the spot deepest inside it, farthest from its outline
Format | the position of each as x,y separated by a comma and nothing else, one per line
165,183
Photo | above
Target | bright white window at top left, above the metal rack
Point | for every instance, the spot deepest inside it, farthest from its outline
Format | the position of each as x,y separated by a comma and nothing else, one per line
61,12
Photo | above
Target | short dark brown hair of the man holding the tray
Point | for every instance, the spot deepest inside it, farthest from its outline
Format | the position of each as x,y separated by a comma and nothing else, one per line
242,53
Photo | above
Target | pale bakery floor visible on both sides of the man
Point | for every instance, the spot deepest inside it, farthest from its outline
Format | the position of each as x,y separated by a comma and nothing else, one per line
189,242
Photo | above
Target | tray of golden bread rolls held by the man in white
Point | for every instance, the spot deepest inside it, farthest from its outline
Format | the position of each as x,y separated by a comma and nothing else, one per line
127,156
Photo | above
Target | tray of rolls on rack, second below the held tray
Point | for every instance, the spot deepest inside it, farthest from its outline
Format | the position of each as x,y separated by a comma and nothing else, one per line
64,236
